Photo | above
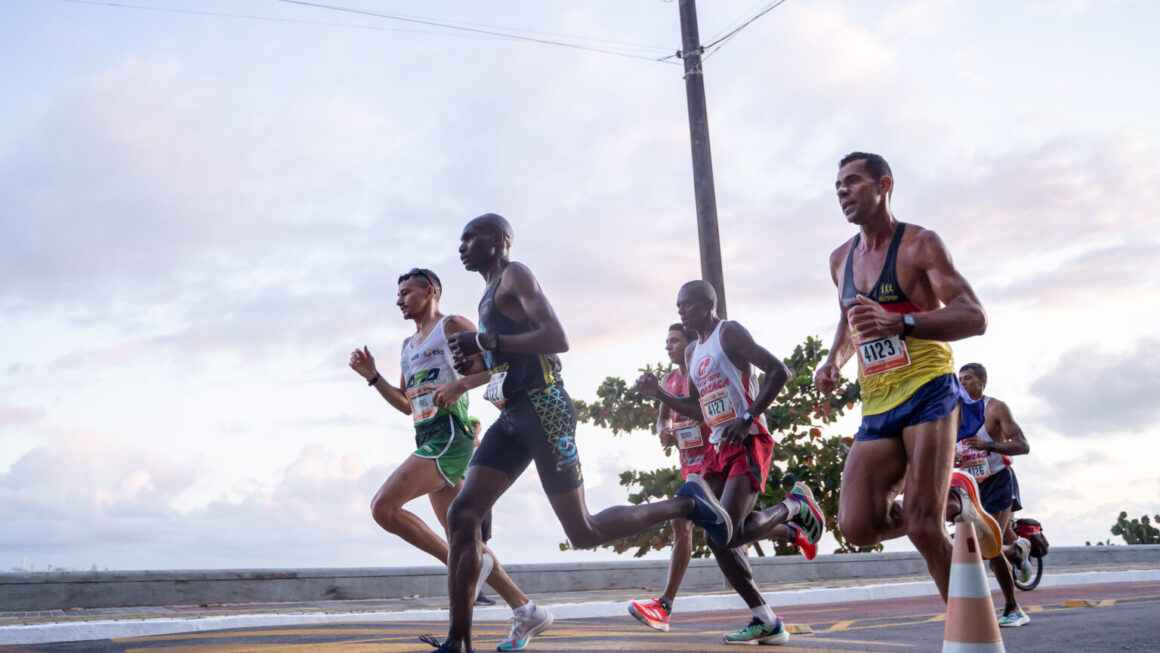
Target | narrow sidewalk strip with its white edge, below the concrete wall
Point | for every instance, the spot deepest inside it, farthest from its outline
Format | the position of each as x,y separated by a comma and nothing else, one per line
103,623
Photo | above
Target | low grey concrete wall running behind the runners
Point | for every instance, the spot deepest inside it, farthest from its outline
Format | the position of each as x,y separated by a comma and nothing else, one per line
54,591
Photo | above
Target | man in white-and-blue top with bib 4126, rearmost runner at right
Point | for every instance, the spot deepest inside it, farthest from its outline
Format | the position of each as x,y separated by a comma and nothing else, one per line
987,456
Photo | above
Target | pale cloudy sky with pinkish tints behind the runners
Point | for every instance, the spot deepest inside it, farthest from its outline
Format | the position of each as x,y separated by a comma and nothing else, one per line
205,208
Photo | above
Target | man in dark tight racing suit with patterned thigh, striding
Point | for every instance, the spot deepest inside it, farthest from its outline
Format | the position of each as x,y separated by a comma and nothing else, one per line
520,337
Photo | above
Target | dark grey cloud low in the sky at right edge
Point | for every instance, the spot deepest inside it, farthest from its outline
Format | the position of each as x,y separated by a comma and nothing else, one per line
1094,391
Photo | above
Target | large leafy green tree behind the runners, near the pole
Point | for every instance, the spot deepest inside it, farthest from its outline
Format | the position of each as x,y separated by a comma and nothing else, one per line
795,418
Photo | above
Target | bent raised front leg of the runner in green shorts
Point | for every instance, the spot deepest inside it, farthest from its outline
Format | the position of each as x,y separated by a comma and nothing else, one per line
410,481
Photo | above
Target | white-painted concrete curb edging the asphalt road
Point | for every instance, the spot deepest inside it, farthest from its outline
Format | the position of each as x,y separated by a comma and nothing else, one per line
81,632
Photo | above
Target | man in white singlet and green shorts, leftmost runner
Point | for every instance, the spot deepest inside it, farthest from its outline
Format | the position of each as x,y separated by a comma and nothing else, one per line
434,395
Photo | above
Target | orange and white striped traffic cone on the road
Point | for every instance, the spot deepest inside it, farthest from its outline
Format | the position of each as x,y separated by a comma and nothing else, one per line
971,625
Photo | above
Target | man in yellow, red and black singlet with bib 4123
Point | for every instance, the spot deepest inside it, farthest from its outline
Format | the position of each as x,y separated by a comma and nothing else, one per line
913,303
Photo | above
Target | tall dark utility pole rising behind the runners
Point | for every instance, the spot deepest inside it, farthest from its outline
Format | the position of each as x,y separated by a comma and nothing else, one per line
702,158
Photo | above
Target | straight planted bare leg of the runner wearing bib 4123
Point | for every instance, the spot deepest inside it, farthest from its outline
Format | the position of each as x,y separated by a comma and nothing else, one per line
931,451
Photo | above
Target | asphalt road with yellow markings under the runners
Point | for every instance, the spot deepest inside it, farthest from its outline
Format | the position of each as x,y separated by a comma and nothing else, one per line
1113,618
